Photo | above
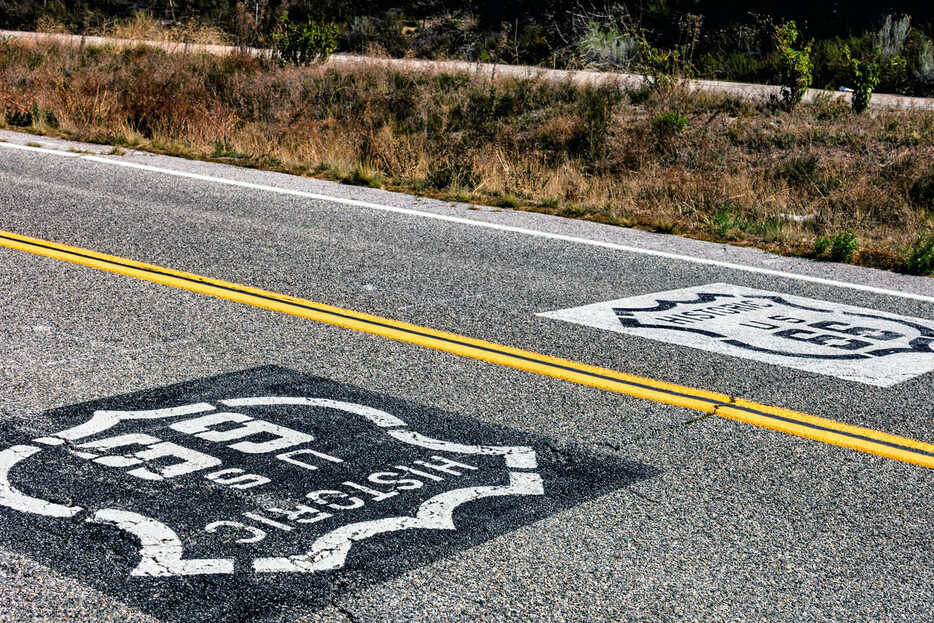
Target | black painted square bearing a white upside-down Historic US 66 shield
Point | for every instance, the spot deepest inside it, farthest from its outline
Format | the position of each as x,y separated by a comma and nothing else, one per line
250,495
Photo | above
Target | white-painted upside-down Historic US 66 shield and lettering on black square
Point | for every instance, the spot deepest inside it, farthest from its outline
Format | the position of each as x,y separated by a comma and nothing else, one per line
161,550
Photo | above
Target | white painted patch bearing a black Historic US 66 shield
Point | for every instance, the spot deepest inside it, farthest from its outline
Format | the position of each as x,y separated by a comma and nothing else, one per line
851,343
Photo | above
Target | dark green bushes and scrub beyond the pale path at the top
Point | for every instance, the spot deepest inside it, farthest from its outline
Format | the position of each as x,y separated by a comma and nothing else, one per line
889,46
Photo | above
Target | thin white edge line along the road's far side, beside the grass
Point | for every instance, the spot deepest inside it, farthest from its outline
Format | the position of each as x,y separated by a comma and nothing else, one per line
496,226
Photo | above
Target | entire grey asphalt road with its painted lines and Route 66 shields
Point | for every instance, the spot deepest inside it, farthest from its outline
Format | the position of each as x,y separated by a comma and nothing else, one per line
234,395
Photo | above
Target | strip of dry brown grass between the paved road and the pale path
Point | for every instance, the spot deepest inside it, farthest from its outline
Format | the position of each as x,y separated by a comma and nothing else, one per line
698,164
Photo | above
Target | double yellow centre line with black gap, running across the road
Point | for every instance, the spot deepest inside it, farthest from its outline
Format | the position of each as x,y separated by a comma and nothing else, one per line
775,418
